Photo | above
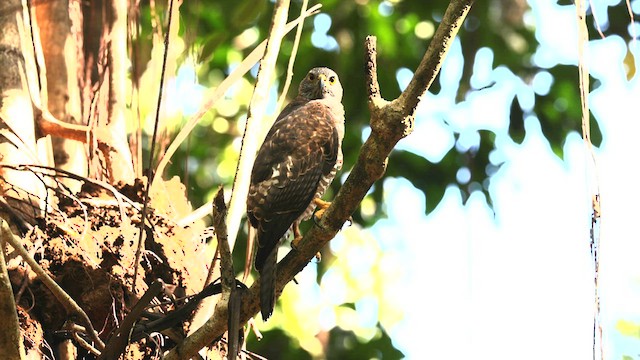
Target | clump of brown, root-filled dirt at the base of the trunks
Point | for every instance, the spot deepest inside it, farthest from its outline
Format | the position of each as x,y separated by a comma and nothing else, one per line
87,242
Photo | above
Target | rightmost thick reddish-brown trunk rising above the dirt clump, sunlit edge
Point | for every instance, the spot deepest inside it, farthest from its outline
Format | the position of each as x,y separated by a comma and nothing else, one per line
103,76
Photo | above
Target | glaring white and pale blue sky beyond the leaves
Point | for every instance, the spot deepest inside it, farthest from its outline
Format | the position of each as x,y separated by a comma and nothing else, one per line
470,281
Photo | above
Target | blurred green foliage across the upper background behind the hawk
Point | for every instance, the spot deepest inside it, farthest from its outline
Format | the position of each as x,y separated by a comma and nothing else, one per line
403,29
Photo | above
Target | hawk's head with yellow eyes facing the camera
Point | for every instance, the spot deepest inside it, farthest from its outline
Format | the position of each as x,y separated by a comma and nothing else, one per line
321,83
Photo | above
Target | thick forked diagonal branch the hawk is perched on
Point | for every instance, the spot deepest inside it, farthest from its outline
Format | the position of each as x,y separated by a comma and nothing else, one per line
390,122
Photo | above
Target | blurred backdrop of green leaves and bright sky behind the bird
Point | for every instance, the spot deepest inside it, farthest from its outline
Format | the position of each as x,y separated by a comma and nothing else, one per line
476,243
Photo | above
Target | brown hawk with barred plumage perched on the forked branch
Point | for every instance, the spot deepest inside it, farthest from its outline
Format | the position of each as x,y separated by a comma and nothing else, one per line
296,163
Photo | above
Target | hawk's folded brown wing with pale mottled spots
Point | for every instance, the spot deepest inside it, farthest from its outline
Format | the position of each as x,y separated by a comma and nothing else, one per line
299,150
